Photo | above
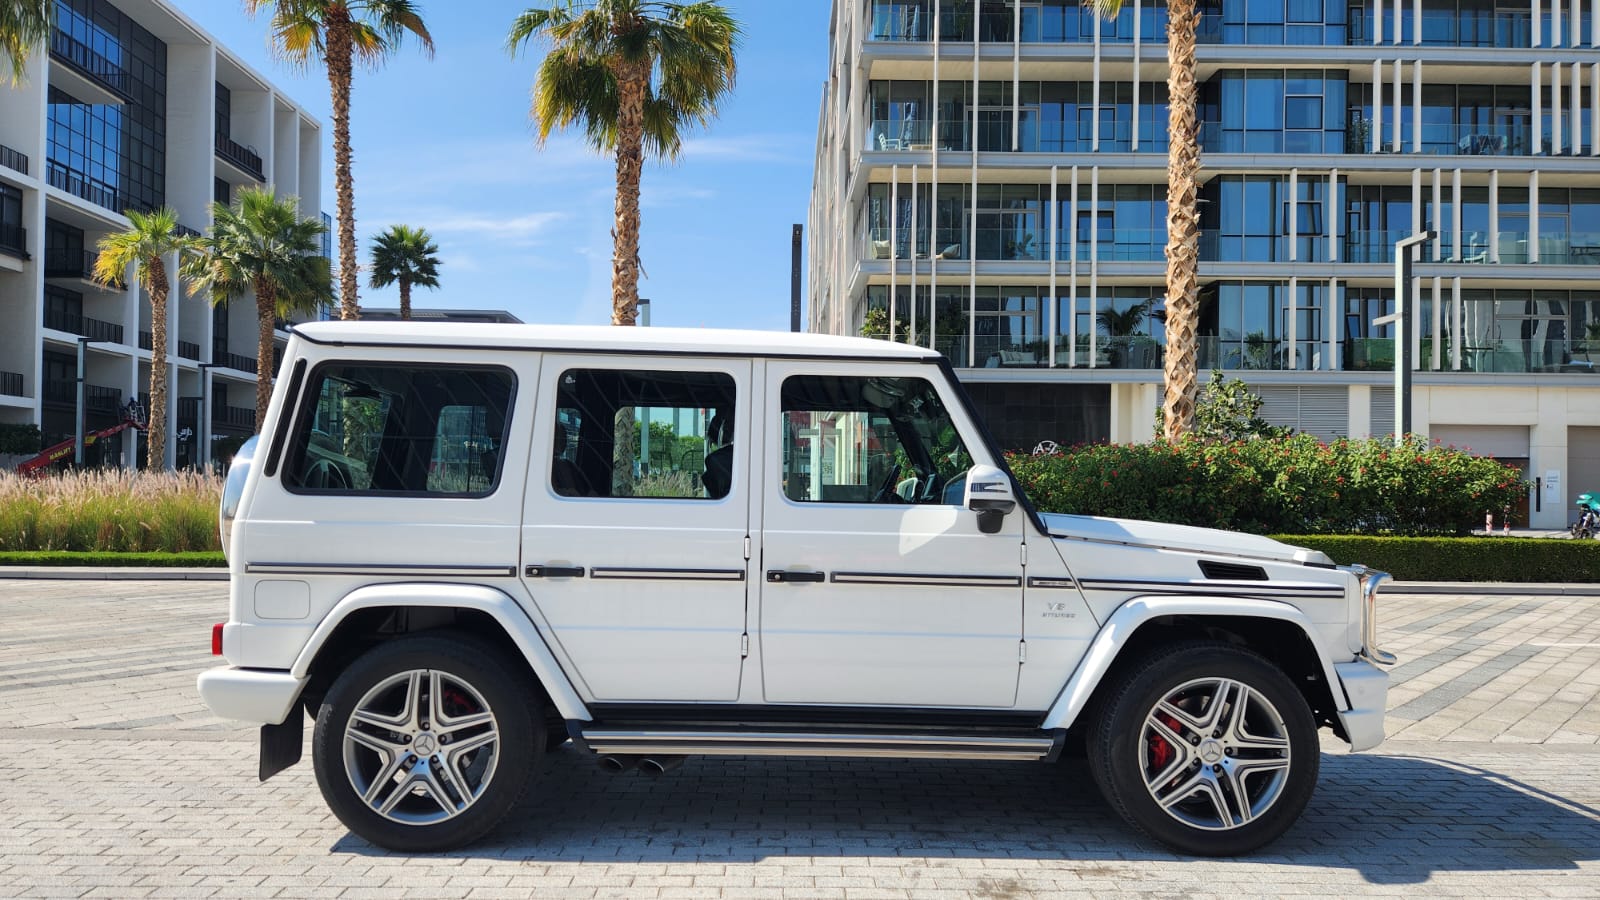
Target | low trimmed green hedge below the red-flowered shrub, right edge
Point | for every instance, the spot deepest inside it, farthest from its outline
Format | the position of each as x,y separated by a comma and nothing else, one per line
1463,560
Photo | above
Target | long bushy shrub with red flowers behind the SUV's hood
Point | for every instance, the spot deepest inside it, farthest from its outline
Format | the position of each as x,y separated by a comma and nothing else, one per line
1292,484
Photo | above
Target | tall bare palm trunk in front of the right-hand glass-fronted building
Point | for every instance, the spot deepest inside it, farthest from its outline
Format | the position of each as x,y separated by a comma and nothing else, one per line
1183,212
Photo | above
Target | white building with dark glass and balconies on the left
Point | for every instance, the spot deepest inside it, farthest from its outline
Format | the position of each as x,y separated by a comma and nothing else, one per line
130,108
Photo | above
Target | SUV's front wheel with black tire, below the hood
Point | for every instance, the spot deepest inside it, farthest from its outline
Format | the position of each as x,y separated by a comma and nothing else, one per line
1230,792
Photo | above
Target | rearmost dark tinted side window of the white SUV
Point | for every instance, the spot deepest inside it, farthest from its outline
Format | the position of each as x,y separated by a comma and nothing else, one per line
391,430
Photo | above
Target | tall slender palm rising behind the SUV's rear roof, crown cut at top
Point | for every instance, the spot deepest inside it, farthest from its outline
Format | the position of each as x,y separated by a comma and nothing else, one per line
340,34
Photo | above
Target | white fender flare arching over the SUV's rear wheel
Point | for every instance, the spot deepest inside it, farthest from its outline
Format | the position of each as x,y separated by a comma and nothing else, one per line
497,605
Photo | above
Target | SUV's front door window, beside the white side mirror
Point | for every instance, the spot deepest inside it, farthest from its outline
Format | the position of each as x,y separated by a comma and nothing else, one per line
860,440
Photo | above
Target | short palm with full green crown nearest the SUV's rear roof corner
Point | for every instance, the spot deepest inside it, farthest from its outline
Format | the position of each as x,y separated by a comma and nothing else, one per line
263,246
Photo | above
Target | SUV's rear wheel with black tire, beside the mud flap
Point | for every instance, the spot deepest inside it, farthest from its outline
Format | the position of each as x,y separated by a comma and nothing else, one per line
478,757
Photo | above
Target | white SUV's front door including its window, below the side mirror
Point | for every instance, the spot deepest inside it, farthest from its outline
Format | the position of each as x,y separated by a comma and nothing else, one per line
879,587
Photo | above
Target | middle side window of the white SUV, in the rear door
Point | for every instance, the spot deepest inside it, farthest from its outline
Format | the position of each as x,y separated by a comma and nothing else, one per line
644,435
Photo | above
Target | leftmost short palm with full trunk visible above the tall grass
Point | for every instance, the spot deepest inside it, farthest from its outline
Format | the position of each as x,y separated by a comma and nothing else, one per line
145,246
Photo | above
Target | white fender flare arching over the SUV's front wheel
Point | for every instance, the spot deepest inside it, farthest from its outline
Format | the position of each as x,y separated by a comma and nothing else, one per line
1137,613
